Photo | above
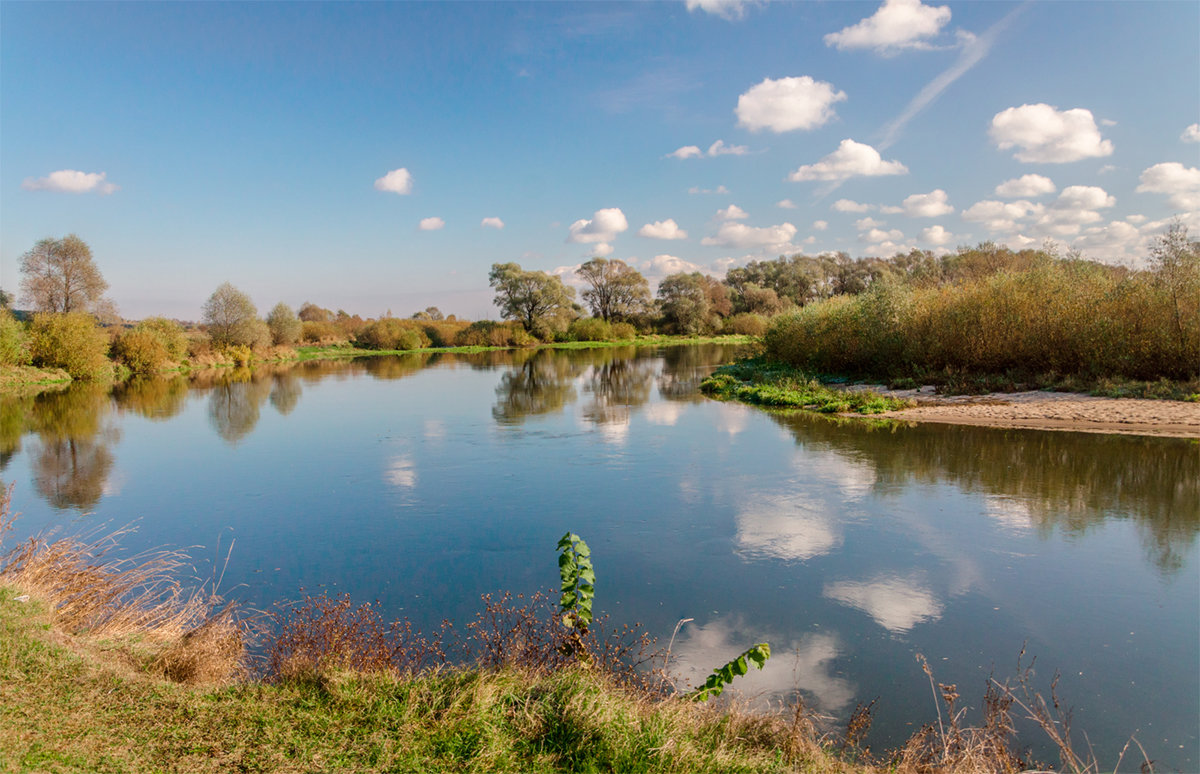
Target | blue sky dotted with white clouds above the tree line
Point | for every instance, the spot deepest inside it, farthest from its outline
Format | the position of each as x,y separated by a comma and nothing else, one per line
382,157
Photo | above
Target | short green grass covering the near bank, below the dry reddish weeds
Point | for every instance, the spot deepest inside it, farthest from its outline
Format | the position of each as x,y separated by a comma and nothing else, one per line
73,706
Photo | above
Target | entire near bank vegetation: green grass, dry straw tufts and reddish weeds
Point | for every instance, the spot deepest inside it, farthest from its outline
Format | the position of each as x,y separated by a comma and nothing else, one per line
141,674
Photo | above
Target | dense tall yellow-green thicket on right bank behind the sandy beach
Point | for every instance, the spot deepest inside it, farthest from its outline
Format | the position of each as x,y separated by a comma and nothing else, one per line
1065,317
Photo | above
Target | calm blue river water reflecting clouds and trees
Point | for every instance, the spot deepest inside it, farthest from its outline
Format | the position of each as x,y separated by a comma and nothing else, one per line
425,482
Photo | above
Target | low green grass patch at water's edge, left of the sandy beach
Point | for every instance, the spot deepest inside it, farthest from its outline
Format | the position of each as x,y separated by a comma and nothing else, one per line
766,383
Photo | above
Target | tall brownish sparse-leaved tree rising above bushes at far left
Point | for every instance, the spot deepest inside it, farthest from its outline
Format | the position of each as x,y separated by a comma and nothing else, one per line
59,275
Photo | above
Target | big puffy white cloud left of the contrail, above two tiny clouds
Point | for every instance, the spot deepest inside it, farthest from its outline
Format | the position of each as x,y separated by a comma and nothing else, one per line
788,104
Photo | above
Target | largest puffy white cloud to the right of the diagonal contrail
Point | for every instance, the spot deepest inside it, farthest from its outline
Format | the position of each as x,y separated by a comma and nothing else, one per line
1047,135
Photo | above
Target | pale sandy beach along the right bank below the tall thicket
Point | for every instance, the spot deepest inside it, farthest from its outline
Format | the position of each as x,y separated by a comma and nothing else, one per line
1053,411
